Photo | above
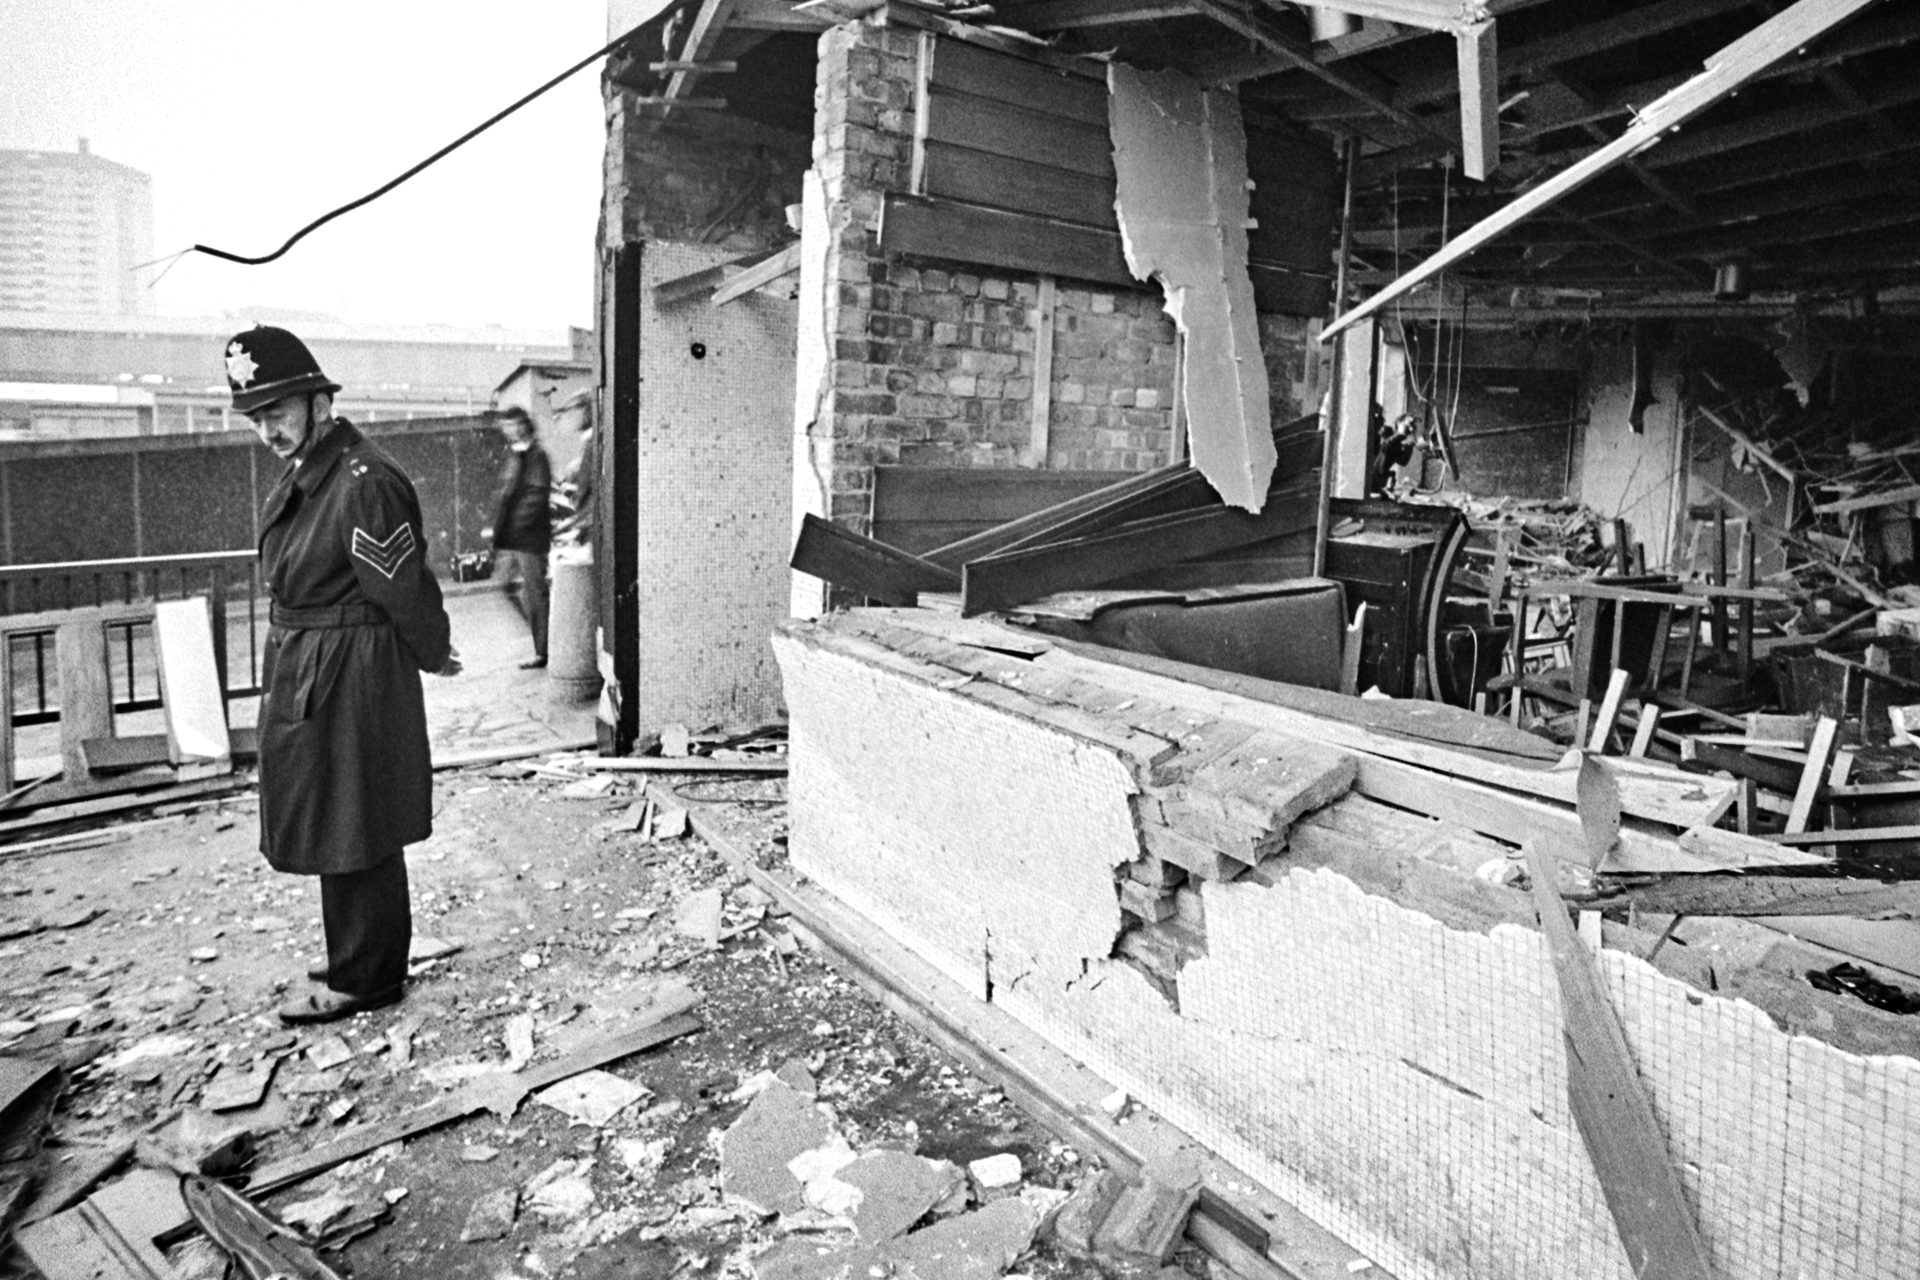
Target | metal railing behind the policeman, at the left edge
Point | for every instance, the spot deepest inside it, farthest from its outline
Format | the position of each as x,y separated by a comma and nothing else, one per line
34,598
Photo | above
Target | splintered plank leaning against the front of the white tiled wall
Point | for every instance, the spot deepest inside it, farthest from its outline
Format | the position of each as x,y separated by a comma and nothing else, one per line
1612,1108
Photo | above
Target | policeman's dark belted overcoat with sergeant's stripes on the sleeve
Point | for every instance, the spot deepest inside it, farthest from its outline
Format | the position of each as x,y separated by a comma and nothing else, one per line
345,769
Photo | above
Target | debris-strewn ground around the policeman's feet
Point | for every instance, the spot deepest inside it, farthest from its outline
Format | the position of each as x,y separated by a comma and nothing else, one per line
804,1127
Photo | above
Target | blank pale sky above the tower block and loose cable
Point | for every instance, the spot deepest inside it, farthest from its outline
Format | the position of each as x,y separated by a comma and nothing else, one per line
254,118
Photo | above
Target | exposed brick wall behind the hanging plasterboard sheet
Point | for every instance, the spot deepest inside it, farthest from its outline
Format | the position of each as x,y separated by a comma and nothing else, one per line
934,362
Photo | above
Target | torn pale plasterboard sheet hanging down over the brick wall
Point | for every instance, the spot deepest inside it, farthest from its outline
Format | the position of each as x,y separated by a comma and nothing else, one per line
1180,156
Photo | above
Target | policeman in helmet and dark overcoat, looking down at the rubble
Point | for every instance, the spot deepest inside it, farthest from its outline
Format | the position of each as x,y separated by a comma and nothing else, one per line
345,769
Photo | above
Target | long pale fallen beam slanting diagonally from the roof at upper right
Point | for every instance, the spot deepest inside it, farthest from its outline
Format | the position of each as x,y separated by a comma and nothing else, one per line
1737,64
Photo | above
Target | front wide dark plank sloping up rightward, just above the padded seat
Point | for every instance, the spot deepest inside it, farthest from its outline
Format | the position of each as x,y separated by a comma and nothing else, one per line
1015,579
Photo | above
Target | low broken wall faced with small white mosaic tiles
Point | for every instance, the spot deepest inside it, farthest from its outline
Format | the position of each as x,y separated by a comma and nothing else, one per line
1356,1022
